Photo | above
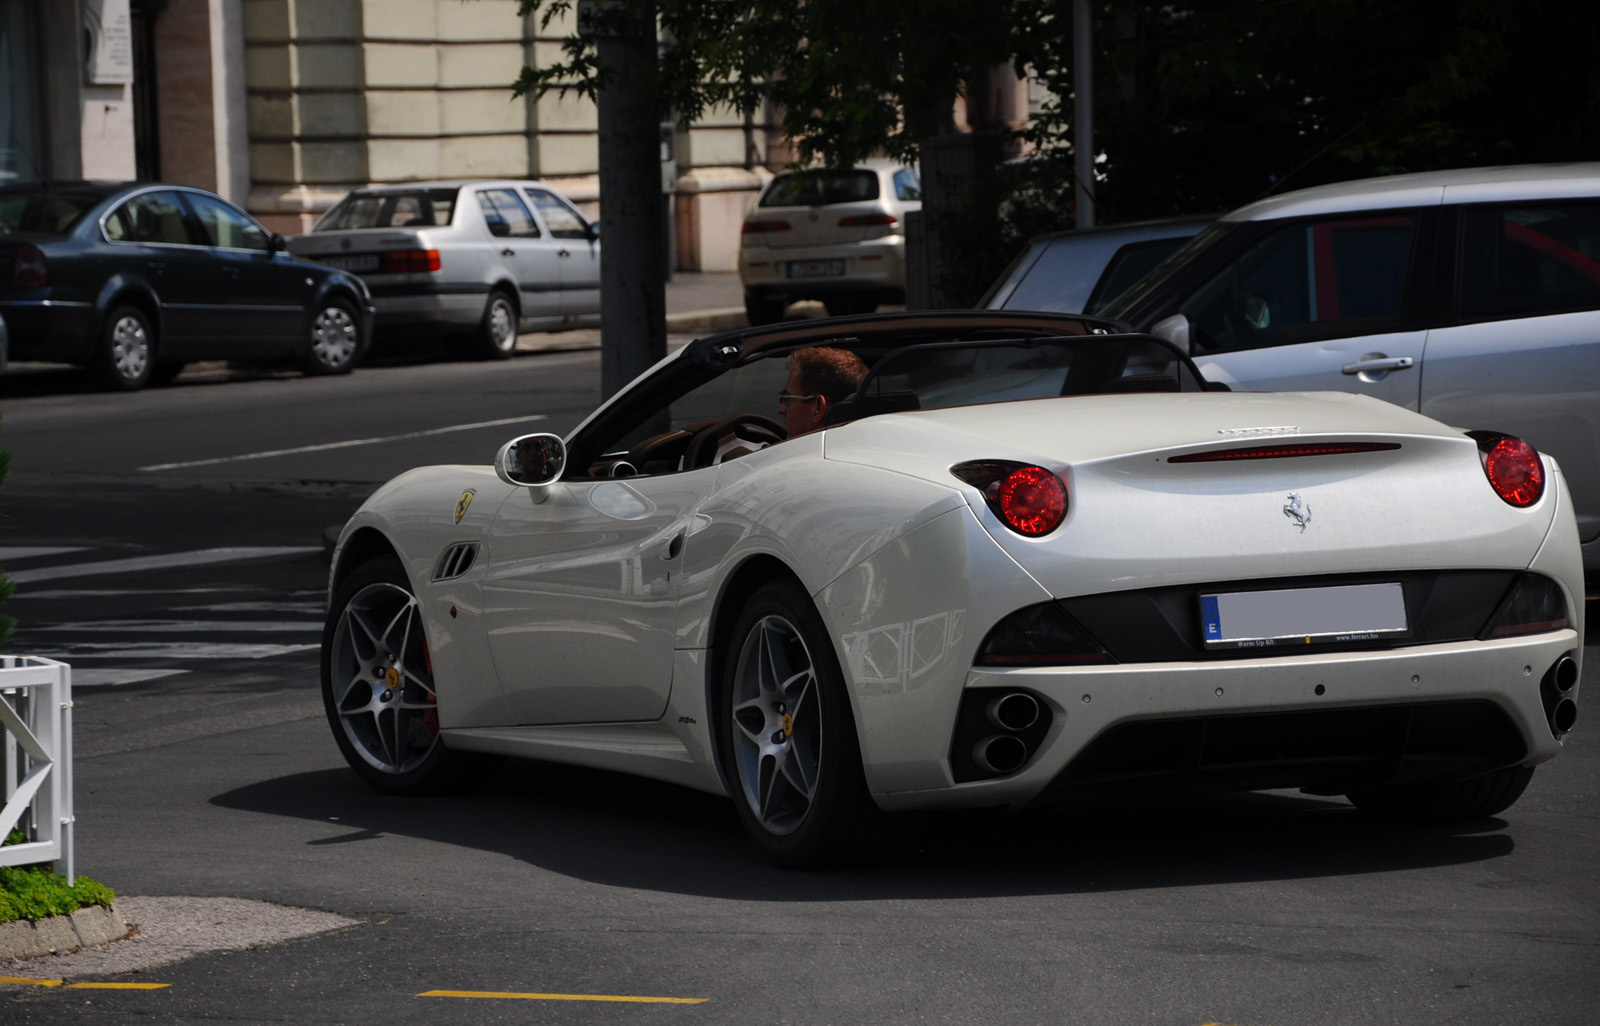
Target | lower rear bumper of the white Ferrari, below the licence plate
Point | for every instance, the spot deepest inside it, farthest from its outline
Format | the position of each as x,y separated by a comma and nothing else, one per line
1321,710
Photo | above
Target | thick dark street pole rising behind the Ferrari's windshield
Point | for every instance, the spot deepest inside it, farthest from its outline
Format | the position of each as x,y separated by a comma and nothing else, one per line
633,239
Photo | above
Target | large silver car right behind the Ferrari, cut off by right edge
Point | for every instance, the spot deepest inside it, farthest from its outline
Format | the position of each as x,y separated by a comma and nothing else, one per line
1470,295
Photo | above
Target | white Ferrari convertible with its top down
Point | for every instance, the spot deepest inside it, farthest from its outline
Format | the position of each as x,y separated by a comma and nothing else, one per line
1023,561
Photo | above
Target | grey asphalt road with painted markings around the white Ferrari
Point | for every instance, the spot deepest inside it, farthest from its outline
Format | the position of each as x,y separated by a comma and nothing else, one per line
204,769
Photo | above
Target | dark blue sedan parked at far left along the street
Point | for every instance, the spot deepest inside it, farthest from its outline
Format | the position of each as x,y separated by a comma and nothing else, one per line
137,279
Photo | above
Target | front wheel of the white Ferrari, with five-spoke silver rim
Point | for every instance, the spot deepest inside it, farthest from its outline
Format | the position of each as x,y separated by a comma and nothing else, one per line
378,687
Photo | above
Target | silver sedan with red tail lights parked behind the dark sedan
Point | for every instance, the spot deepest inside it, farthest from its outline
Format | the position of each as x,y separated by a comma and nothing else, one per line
481,260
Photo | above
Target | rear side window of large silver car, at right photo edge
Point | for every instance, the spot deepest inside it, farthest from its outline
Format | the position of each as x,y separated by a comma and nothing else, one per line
1519,262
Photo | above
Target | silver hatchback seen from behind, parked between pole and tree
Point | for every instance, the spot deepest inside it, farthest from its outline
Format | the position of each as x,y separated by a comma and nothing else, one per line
831,234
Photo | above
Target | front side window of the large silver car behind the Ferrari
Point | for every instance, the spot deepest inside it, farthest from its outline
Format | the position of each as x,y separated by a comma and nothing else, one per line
1308,281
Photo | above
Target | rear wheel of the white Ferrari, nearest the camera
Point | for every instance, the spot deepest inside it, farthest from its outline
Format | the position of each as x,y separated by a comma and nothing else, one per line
788,740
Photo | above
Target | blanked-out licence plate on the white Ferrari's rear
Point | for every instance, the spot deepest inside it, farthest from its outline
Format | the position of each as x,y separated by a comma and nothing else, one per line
1303,615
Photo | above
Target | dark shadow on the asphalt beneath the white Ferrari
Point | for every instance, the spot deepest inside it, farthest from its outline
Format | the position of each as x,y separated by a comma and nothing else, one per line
623,832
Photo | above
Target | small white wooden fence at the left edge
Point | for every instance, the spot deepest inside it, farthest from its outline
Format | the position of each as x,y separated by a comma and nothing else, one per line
36,719
